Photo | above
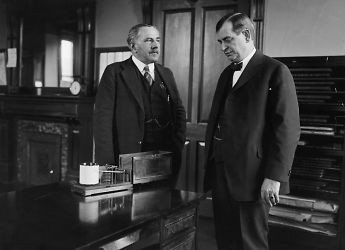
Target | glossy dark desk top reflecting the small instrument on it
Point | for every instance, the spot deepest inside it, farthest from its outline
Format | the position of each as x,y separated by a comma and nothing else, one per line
52,217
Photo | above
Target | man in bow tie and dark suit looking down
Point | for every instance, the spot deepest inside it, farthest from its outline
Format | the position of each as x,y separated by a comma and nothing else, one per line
251,137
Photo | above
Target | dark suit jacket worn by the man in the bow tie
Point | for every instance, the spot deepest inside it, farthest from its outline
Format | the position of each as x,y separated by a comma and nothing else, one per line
264,129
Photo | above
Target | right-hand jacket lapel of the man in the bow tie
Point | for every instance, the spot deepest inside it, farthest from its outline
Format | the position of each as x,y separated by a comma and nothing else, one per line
251,69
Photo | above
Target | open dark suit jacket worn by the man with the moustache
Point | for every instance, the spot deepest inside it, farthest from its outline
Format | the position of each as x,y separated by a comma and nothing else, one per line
119,112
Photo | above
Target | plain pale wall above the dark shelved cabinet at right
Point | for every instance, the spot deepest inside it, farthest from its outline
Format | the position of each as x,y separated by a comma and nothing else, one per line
304,27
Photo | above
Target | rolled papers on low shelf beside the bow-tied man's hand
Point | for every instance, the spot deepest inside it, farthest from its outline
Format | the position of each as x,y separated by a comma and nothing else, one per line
312,215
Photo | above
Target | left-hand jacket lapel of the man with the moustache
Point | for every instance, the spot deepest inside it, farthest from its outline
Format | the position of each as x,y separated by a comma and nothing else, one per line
129,76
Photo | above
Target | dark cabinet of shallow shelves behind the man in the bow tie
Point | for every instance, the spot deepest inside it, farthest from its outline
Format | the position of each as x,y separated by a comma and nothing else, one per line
318,171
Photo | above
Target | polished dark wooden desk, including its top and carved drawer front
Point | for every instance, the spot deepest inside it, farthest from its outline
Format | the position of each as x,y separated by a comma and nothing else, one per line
52,217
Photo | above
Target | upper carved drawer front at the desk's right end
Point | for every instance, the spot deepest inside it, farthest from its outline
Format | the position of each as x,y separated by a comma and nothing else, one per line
178,222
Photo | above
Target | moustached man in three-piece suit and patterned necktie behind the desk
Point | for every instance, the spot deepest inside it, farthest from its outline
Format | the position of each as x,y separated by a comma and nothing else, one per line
138,107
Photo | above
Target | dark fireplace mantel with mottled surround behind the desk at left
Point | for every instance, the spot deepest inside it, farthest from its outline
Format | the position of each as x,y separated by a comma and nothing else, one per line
44,139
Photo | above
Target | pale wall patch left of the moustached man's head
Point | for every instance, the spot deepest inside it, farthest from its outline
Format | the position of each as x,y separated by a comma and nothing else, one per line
114,18
